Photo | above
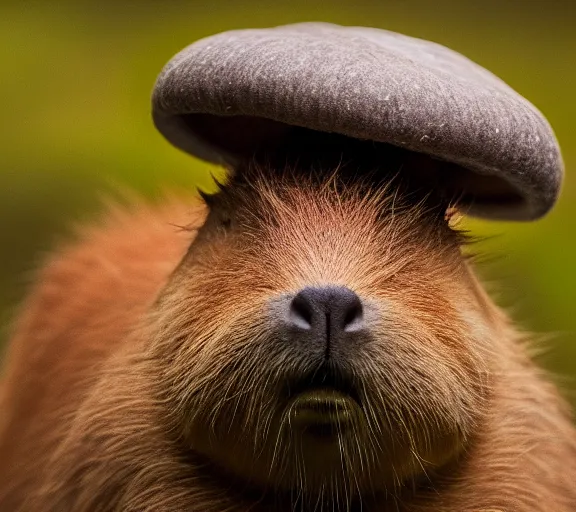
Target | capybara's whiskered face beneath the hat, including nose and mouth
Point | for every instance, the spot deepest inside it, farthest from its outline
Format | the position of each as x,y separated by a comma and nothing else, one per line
323,335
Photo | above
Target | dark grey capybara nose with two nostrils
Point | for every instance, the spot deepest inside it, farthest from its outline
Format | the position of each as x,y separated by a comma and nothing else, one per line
327,313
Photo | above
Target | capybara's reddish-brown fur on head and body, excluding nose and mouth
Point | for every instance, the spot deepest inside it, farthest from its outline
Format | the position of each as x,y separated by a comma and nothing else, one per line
146,376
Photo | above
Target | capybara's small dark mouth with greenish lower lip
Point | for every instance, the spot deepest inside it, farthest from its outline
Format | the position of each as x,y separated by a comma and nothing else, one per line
323,404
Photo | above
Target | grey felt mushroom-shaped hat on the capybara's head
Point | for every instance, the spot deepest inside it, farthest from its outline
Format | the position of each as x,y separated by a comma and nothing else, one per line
225,96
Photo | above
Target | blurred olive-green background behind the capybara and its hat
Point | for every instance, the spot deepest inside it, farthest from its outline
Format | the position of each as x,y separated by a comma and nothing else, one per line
75,86
